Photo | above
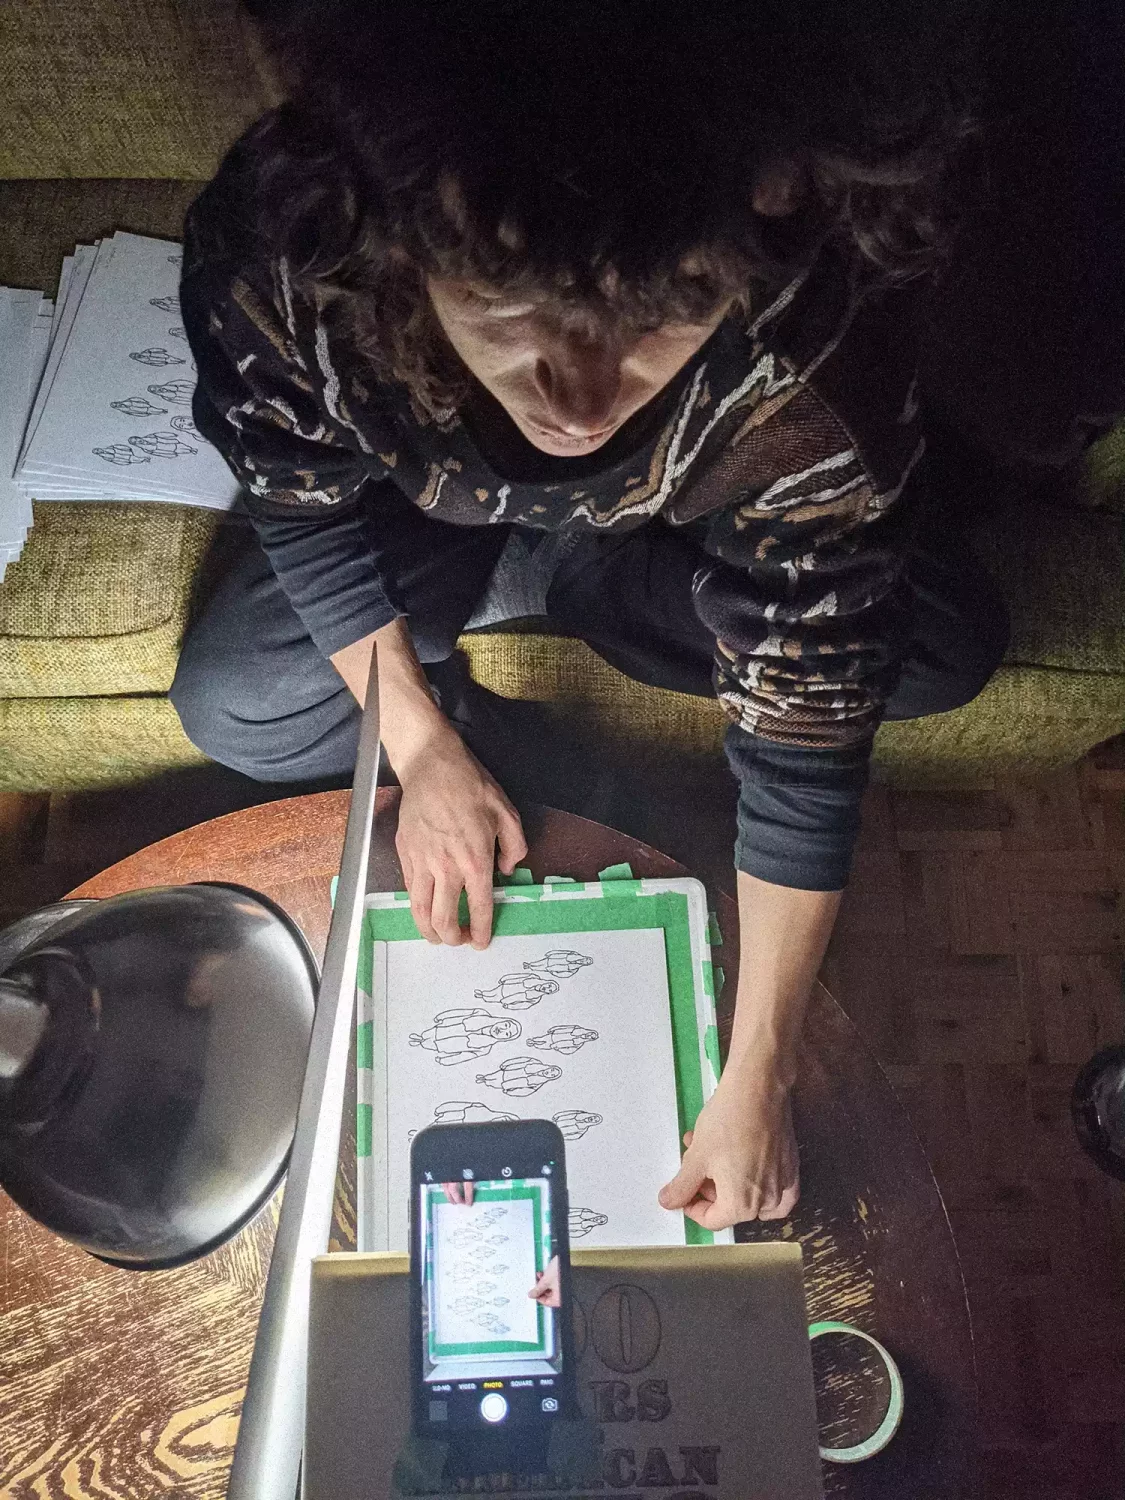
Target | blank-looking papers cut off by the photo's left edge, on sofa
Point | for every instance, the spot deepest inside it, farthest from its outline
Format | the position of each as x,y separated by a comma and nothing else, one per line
25,332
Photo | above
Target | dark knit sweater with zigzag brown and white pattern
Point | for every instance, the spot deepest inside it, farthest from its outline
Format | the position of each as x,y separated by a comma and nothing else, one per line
793,451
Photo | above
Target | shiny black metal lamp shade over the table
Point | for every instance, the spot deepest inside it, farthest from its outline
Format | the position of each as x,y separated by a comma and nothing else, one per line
155,1115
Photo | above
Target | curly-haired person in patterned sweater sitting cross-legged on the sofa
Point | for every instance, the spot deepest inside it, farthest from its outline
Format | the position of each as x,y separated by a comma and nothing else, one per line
622,283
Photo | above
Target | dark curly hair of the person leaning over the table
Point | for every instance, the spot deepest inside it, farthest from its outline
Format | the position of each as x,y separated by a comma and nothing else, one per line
599,152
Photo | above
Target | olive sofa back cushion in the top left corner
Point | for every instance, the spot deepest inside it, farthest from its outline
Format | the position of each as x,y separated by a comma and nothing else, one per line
124,88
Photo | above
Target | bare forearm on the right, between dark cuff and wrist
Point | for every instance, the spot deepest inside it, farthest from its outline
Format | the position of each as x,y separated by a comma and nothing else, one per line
782,937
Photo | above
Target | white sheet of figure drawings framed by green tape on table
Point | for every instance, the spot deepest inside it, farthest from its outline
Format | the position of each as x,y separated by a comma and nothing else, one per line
595,1054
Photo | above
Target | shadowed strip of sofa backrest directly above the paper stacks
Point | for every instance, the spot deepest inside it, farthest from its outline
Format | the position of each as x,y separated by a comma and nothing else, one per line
43,221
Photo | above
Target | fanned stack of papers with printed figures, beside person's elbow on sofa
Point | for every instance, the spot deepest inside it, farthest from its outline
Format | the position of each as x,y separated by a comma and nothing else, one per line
112,418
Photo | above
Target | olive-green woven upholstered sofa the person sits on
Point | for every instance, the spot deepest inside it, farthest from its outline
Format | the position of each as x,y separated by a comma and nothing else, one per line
115,113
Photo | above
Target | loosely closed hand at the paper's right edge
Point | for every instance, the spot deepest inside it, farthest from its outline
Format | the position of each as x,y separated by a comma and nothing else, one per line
742,1159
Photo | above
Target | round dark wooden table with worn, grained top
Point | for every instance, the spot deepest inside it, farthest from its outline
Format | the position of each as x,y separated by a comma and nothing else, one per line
128,1385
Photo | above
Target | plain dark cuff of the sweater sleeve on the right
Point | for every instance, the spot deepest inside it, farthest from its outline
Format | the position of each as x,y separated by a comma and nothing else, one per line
799,811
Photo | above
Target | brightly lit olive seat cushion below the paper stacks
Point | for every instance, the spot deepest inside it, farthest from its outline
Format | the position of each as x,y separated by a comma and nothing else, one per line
100,599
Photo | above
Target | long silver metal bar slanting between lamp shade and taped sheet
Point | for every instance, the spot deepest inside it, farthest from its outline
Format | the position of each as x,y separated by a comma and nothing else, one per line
268,1456
